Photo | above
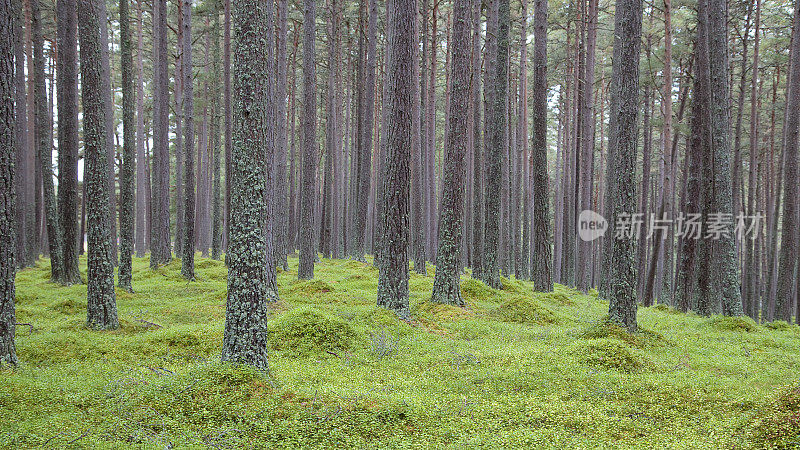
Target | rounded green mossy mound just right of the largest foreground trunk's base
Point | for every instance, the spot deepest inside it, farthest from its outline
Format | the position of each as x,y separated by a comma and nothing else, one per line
308,330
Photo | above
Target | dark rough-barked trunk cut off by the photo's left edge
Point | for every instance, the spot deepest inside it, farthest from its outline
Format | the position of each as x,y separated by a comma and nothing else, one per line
8,244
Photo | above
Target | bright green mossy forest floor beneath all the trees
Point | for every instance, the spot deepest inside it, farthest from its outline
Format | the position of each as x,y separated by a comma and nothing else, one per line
511,370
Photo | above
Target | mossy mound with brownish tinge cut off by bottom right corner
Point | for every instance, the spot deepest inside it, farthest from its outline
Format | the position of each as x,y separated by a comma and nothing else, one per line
777,424
